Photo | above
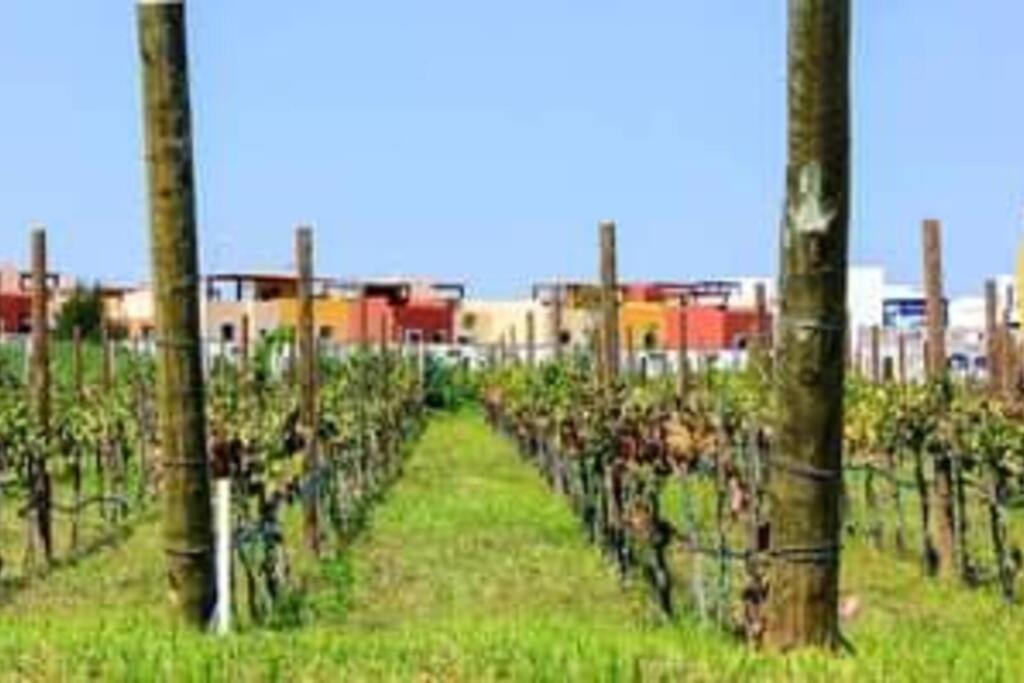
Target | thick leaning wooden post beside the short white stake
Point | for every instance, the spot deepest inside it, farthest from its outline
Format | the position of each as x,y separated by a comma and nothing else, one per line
188,517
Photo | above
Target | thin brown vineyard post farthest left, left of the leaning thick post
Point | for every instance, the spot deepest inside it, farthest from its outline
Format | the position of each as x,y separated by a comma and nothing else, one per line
40,480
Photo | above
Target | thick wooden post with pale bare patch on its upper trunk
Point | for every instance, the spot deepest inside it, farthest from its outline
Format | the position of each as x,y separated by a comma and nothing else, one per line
806,465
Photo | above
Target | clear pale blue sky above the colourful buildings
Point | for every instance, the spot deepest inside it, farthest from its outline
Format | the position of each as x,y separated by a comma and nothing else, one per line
485,140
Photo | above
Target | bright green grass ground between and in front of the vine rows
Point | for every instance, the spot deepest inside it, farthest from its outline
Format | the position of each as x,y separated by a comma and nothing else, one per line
473,571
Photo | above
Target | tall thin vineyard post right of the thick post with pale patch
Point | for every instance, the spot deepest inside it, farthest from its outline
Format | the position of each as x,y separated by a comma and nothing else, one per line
946,518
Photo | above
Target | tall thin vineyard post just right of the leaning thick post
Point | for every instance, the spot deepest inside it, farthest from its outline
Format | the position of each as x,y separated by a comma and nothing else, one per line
308,381
